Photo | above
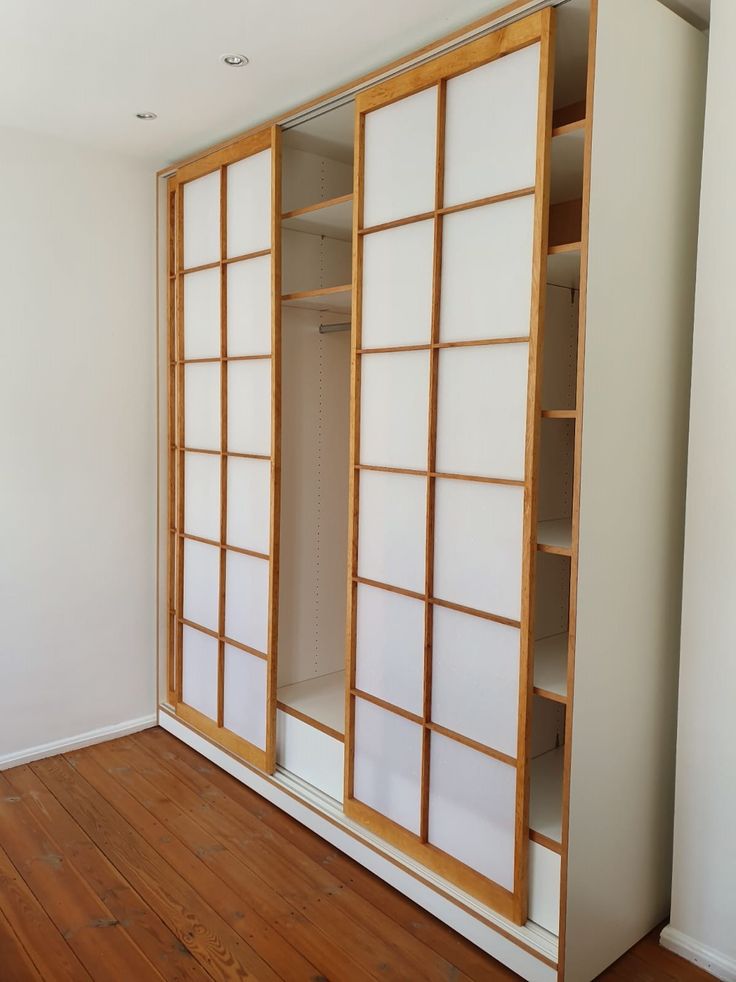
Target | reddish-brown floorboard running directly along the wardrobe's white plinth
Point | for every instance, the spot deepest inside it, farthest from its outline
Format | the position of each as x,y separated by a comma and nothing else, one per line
229,797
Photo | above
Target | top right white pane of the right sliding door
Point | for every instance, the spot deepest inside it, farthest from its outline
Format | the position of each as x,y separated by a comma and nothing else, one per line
491,128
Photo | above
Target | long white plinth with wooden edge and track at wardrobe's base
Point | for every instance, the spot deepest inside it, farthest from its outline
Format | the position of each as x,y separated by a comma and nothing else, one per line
317,812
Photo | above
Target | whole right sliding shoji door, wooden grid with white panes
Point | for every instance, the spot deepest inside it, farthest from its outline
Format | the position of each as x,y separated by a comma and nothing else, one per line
450,244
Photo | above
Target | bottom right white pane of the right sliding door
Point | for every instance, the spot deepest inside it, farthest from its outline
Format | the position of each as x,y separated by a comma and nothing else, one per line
472,808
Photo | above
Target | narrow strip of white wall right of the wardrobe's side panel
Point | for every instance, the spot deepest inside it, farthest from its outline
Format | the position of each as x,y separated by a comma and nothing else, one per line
704,887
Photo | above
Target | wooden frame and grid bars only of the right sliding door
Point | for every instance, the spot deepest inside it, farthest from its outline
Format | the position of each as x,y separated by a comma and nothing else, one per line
536,28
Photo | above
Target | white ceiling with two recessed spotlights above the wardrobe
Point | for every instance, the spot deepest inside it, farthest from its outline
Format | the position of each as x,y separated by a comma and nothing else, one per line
81,69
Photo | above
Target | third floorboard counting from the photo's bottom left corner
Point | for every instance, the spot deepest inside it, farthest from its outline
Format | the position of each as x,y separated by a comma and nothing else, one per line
100,943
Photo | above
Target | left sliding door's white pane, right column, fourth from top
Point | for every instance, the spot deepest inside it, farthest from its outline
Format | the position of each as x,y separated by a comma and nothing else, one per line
249,504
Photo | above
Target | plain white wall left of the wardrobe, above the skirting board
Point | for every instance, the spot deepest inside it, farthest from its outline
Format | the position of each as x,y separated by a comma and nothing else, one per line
77,442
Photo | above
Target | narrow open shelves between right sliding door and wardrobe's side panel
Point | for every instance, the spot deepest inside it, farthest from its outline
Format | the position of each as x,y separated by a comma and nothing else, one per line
558,461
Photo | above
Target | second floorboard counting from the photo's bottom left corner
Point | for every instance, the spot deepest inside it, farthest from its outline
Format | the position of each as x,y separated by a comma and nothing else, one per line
35,930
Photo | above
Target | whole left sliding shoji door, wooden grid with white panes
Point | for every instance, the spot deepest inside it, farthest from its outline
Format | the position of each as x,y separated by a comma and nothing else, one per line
224,491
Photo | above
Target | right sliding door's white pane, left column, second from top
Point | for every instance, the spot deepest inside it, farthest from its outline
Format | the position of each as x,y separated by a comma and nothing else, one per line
397,285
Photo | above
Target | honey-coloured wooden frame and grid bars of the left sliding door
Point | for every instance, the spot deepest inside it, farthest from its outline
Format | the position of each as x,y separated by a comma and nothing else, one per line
214,728
